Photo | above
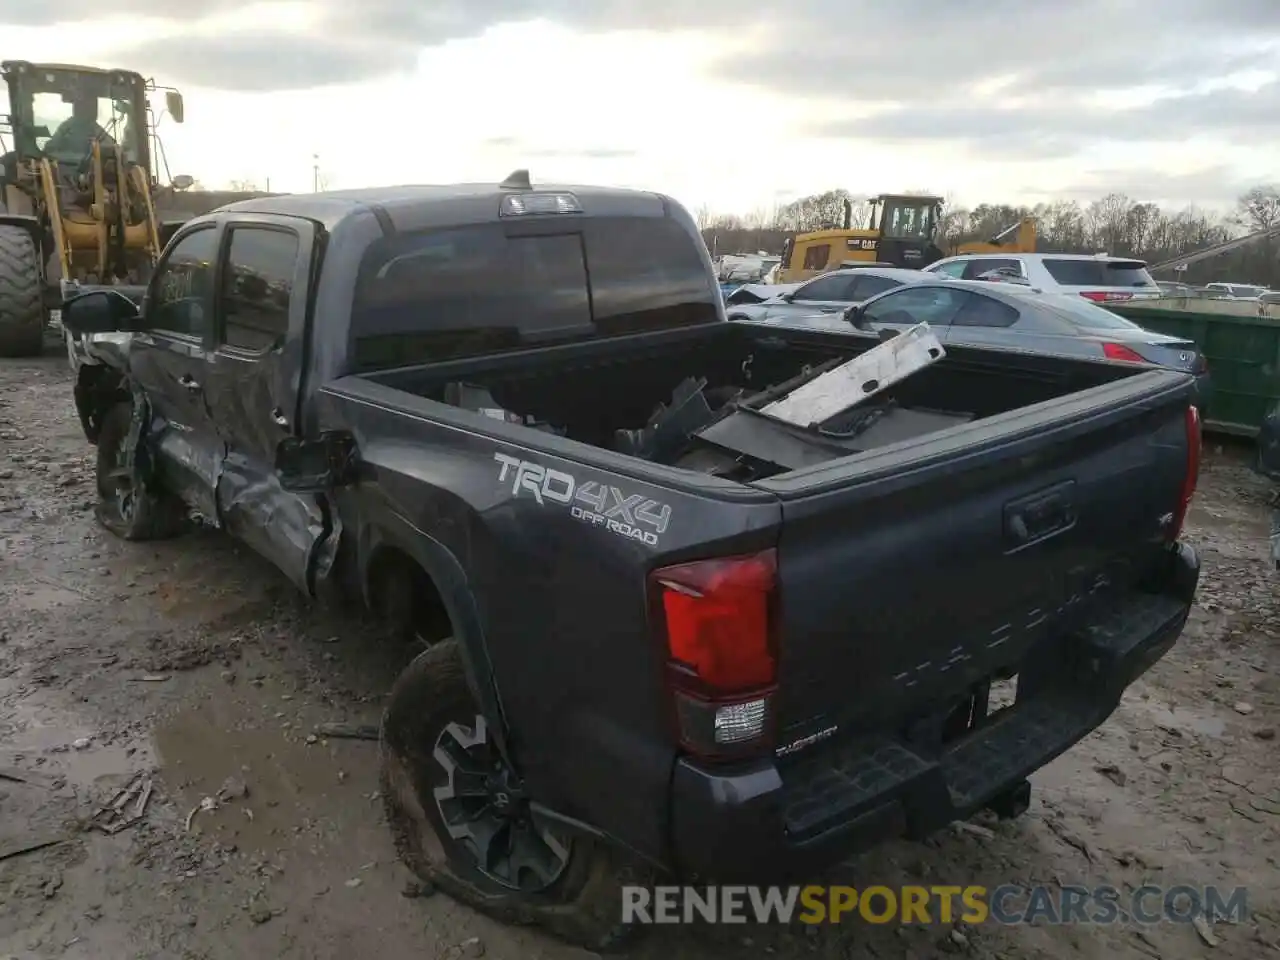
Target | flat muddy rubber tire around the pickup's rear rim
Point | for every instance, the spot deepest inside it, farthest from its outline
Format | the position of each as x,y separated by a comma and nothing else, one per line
583,907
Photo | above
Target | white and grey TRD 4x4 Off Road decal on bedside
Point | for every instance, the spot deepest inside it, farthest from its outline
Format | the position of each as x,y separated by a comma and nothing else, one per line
627,515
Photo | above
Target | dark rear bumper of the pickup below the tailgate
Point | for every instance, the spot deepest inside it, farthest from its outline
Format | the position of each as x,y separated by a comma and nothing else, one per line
770,825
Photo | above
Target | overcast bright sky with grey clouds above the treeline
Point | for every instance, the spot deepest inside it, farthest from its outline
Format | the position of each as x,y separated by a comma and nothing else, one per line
720,103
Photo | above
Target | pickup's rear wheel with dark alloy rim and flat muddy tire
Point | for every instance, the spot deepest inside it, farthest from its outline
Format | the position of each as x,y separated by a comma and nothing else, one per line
460,820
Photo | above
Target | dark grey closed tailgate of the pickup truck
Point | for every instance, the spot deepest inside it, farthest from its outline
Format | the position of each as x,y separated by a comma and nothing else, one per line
930,566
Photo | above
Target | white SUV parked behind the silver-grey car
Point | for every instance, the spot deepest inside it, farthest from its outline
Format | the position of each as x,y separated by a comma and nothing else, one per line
1101,278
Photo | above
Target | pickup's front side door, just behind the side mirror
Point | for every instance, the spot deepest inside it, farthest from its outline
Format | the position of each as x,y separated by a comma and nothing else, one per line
168,362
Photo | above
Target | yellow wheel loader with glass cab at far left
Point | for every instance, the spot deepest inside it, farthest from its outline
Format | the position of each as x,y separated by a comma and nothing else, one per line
77,189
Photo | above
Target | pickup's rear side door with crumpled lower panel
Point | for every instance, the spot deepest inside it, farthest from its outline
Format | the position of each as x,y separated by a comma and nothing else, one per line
254,376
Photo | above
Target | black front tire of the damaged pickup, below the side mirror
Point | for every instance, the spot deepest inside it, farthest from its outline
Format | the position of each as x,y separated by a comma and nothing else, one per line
154,515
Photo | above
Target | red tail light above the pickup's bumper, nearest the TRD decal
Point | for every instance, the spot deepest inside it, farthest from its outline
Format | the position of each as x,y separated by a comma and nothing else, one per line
717,619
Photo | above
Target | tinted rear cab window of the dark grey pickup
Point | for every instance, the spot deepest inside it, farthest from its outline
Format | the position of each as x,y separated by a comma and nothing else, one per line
477,290
